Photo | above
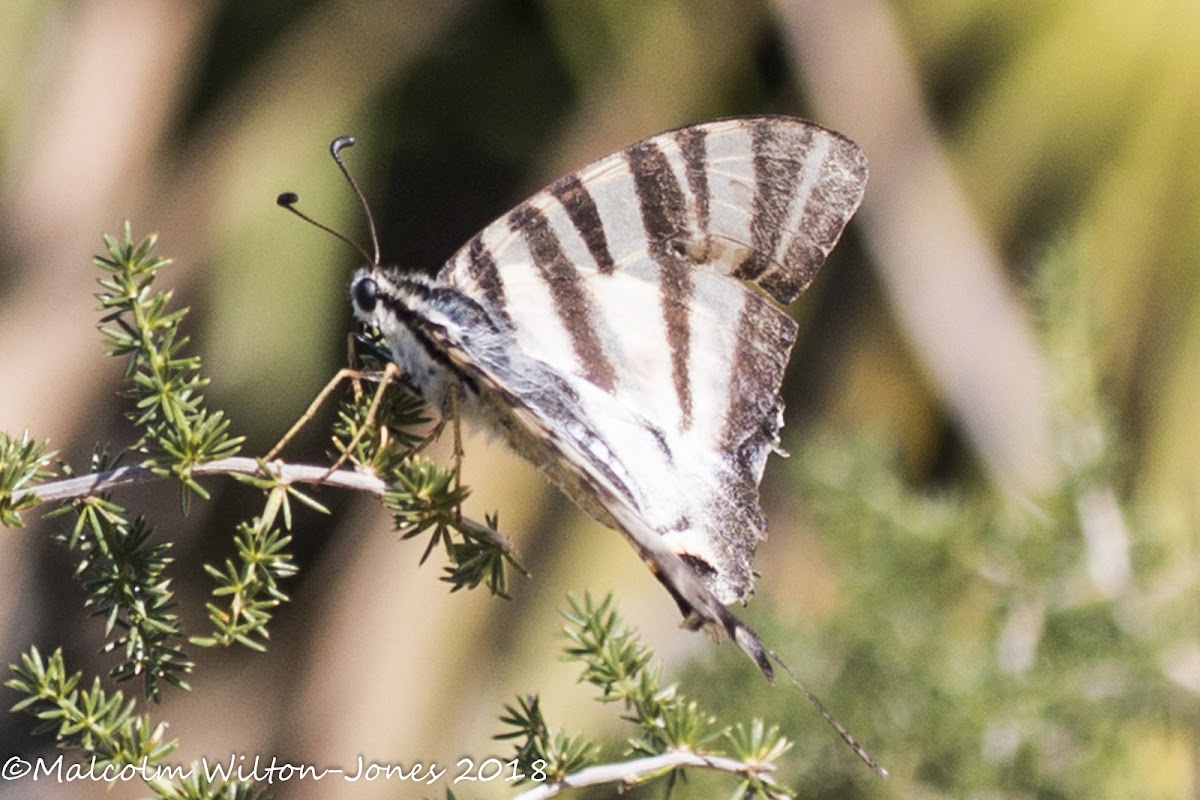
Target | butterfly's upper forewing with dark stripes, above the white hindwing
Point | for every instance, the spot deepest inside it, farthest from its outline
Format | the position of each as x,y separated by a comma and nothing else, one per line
633,273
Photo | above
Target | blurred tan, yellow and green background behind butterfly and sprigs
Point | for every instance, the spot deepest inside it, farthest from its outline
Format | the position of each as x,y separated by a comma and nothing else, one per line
983,551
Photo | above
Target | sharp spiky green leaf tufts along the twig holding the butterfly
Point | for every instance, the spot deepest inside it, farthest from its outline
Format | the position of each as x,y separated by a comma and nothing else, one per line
125,575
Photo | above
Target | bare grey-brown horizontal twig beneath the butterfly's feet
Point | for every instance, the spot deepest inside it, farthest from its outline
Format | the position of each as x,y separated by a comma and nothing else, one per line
285,473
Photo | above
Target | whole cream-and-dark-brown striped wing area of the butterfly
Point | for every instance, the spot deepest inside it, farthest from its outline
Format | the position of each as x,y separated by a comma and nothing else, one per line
637,281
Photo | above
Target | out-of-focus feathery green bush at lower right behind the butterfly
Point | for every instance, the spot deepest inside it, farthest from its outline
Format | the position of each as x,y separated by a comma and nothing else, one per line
974,629
